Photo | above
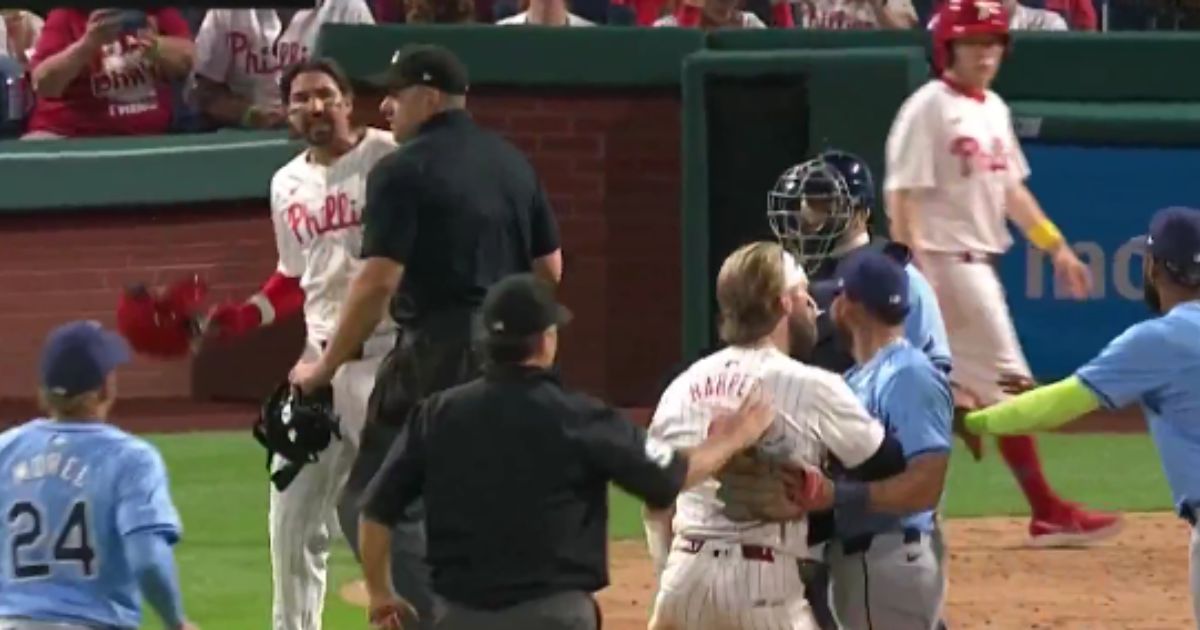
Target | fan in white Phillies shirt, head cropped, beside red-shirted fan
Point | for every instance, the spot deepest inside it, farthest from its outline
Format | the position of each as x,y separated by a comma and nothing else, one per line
241,55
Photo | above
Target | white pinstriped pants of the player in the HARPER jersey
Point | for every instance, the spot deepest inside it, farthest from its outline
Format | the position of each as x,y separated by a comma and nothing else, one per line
718,589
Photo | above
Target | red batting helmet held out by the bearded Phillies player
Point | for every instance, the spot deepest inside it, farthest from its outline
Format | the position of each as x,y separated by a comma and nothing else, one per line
163,323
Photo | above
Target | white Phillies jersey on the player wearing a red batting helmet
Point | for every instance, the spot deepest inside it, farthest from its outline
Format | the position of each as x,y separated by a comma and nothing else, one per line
959,155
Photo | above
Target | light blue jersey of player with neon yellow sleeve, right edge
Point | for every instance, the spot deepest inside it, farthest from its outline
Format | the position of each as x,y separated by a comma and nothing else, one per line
1157,364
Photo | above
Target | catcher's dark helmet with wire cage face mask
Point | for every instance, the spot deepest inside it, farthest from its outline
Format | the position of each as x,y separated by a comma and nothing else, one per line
813,205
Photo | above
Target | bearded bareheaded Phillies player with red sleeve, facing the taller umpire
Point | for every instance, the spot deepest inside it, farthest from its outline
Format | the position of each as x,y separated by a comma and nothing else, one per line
316,208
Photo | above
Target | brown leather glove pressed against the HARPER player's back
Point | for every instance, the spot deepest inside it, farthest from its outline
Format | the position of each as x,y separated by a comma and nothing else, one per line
753,490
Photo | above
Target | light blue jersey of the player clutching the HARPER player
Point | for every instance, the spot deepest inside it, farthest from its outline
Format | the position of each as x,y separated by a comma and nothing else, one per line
911,398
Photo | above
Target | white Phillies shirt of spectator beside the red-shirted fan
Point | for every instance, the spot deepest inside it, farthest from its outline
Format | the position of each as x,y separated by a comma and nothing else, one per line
249,49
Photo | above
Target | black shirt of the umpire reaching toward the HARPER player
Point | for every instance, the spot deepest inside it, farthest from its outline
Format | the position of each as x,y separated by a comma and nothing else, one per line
515,471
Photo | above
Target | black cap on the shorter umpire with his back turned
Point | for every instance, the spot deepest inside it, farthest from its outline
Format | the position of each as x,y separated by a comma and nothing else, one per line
521,305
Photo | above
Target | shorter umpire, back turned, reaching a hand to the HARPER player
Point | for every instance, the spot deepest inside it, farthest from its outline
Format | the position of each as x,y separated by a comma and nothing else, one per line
514,471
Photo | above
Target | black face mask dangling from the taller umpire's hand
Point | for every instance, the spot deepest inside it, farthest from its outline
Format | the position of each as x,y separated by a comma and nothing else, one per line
297,428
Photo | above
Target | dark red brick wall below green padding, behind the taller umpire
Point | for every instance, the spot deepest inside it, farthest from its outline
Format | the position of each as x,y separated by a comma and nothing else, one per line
610,163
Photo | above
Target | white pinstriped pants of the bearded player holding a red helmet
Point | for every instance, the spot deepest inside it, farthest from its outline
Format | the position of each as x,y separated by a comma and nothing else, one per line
303,519
